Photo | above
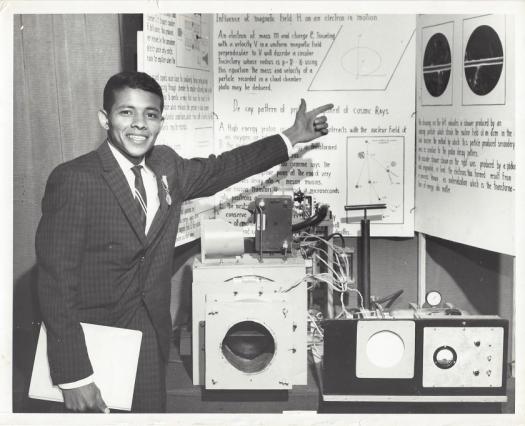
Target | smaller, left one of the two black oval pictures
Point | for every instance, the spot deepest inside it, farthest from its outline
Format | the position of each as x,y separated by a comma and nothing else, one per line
437,64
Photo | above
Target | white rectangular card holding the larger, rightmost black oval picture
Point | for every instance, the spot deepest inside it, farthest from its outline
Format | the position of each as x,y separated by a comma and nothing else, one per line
484,60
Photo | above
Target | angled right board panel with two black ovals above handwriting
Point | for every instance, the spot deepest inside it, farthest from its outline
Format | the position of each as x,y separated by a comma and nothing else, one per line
465,165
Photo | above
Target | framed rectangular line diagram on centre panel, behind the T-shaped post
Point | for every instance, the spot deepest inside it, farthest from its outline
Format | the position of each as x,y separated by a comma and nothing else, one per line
375,174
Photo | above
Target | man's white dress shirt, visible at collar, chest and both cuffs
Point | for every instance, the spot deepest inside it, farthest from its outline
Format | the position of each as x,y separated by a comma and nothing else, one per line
152,195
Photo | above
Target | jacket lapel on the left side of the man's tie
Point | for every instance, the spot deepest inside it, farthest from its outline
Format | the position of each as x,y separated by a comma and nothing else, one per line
120,187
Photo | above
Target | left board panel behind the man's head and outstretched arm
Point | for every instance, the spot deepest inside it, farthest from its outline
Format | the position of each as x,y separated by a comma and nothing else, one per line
176,52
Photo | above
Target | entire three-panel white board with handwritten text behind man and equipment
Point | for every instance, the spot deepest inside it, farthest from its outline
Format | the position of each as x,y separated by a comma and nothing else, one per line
232,79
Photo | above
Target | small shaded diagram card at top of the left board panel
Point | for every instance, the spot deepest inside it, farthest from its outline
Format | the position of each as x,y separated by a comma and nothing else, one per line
193,32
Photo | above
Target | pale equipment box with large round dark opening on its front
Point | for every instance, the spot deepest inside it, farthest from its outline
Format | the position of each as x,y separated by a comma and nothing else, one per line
249,323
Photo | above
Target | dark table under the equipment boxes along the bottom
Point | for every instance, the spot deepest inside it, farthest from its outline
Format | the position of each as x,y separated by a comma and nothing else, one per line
184,397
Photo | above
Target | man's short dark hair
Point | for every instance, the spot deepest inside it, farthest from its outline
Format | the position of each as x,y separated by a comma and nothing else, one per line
133,80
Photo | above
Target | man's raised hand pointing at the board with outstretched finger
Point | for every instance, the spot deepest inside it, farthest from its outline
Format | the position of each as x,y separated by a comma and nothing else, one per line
308,126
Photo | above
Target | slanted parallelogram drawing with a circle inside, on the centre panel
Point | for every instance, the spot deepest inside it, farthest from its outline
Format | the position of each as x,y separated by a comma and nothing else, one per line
361,59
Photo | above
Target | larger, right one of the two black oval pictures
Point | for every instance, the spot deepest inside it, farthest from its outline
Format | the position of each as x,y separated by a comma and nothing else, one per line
483,60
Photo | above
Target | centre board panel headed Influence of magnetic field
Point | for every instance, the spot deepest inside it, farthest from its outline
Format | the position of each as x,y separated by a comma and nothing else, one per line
266,63
